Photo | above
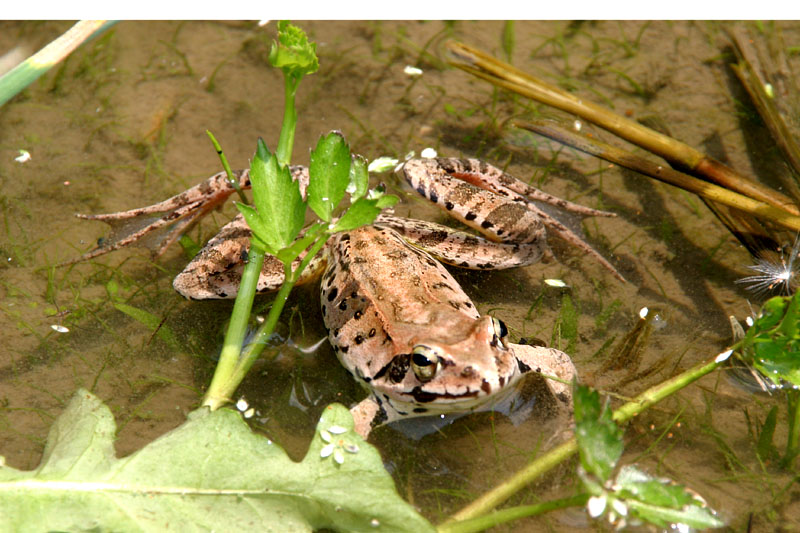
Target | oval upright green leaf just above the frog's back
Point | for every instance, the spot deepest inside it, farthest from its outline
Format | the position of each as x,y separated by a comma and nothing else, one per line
329,174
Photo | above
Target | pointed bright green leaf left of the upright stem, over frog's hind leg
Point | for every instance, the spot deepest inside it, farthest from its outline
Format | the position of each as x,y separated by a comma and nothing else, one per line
279,205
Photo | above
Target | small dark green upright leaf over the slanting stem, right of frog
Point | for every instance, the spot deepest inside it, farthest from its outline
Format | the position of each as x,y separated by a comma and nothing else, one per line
599,438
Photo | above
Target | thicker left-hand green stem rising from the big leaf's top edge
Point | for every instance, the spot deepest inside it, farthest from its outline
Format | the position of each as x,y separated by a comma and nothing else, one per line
220,392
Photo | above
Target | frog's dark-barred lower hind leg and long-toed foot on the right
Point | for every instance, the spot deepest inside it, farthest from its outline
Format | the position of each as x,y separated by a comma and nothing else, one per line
494,203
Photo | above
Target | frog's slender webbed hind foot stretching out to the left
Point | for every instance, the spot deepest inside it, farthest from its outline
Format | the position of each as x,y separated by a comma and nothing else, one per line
158,226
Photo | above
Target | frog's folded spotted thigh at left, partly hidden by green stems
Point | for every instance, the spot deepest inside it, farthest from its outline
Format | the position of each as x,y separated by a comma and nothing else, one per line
215,272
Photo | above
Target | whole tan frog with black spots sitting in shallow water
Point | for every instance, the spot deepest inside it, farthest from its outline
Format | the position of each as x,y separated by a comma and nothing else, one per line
396,318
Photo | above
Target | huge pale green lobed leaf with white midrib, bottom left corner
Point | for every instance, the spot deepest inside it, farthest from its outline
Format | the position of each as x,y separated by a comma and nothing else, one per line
211,473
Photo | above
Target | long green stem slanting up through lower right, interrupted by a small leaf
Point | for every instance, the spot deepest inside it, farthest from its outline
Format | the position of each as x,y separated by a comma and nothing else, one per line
557,455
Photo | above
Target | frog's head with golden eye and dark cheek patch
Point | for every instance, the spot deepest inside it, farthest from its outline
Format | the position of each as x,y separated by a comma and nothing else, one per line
458,372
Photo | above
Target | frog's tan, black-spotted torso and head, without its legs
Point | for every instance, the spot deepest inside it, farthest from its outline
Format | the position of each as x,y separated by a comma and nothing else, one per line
403,326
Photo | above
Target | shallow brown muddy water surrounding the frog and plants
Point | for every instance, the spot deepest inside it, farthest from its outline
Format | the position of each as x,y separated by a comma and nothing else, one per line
122,124
